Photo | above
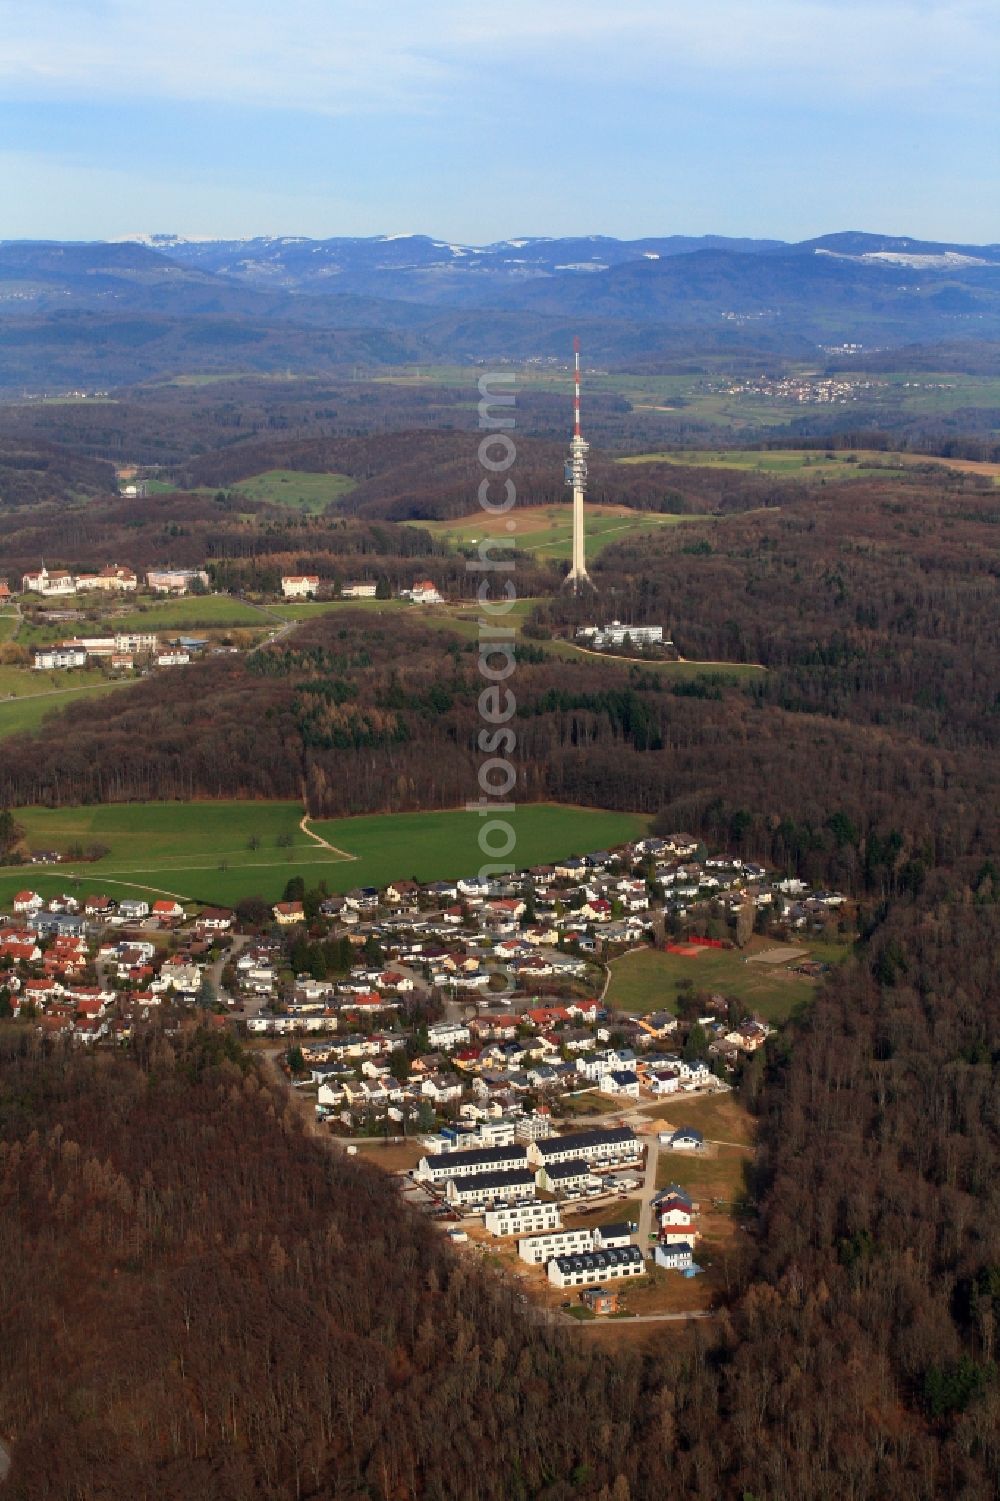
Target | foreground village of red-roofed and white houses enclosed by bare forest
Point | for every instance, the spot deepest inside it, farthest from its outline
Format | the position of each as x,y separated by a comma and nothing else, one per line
469,1036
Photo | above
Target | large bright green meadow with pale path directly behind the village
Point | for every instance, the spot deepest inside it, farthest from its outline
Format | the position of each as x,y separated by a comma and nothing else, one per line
224,852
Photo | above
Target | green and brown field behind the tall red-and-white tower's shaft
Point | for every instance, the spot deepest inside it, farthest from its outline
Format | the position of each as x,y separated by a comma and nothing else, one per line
549,531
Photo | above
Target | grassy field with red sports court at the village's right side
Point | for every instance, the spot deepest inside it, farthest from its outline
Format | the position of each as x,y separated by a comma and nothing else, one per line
648,979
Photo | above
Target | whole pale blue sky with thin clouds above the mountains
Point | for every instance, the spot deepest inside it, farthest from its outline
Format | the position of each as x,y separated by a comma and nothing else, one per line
478,122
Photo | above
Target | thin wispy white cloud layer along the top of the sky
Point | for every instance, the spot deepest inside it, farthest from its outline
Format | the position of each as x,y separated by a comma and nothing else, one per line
400,56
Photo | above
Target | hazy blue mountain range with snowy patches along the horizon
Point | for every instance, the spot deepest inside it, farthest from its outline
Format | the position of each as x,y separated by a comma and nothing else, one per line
137,308
